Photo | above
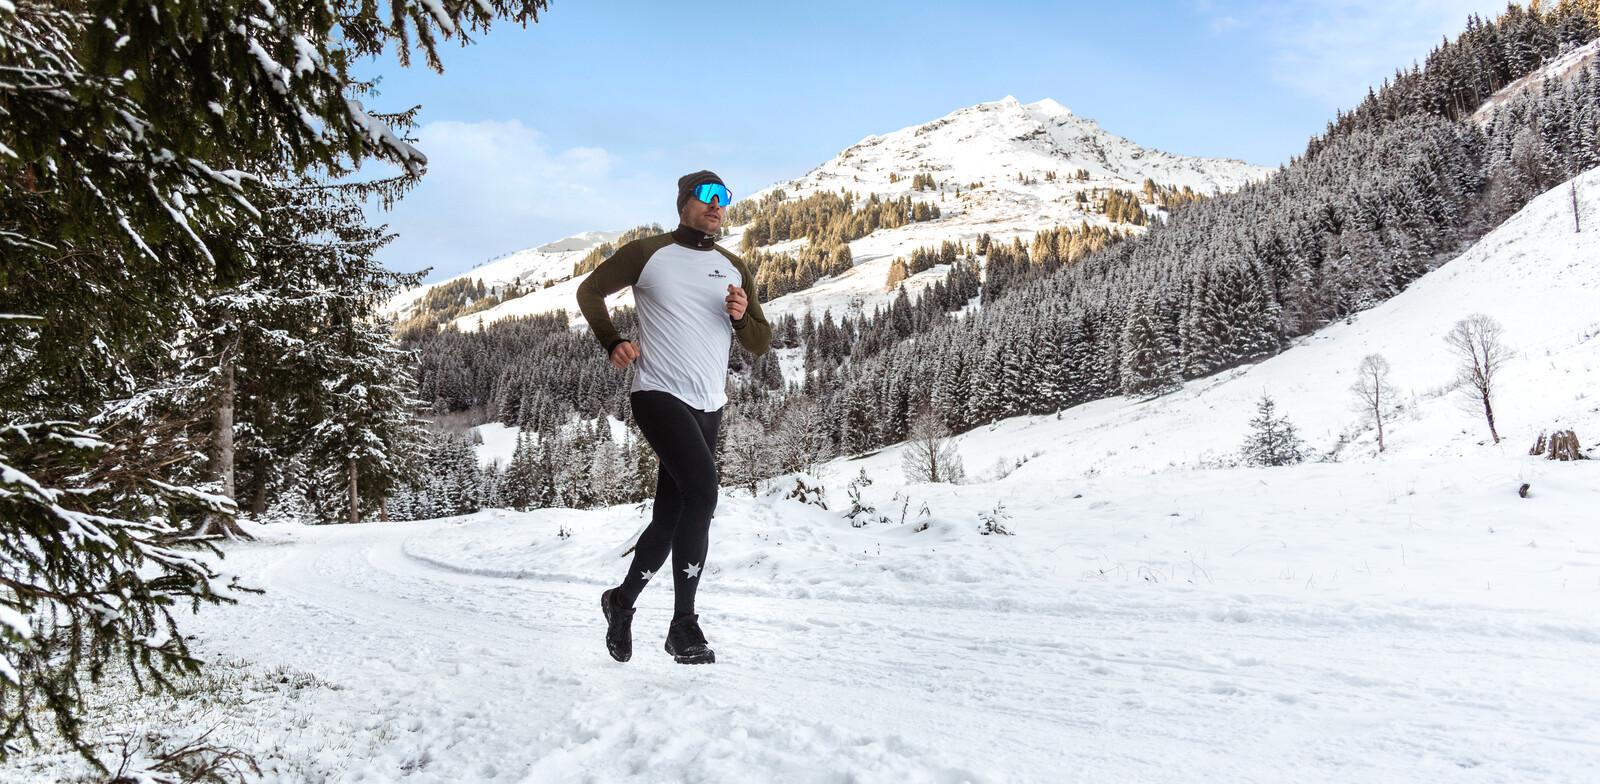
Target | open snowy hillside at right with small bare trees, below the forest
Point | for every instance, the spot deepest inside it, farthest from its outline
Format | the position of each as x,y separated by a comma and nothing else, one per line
1535,274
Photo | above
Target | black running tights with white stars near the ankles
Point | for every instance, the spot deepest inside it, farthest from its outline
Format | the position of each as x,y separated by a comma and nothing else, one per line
686,442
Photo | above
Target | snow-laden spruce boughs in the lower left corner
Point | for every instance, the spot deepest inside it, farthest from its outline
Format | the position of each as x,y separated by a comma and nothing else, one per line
89,575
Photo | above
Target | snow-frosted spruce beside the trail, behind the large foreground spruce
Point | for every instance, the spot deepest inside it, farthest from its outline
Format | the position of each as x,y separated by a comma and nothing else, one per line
300,356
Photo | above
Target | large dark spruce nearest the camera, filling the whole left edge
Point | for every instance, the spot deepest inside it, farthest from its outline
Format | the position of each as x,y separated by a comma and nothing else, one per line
122,185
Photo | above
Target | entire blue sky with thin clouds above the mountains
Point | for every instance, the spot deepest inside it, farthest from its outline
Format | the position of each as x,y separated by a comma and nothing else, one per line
585,121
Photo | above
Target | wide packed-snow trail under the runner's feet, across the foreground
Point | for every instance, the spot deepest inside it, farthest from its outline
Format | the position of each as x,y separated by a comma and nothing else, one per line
447,676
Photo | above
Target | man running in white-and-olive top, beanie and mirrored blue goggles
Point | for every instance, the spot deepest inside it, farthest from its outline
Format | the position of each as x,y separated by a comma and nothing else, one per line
692,298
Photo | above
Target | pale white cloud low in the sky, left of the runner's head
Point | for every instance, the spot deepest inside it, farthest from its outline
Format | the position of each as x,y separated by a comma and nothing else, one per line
497,188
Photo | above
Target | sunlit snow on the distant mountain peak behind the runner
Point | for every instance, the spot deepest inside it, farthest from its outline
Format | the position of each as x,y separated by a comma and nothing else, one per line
1006,146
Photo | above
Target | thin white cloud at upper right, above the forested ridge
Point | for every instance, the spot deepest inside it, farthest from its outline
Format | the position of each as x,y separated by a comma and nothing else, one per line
1334,50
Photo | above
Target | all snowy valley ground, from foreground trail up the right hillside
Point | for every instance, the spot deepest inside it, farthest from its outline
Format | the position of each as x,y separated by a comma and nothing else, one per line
1393,618
